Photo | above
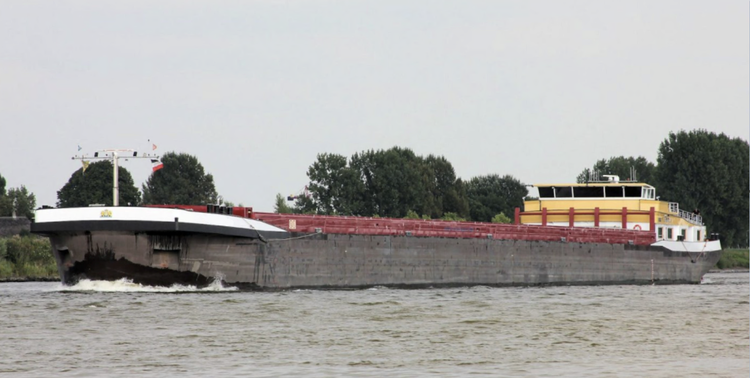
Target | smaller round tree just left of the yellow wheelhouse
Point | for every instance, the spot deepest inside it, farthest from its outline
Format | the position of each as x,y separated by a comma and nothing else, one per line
492,194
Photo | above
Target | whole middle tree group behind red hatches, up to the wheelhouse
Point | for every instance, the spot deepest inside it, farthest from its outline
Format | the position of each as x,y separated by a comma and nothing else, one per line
397,183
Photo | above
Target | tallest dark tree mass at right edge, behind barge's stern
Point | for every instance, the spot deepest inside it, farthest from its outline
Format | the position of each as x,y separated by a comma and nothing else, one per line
709,172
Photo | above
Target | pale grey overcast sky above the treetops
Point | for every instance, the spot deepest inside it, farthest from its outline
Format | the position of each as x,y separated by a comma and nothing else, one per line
255,90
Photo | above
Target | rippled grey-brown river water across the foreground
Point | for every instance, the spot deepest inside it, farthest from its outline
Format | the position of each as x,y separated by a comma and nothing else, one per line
105,329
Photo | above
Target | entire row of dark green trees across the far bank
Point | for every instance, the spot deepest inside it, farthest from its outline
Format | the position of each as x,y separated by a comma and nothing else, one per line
697,169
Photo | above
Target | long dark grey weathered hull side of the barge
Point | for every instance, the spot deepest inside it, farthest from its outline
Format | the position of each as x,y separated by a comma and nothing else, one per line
339,261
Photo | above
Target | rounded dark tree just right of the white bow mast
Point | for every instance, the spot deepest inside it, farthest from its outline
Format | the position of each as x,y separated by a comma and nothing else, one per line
182,181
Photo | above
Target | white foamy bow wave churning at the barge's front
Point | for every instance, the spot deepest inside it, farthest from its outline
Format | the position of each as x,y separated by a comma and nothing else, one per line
127,285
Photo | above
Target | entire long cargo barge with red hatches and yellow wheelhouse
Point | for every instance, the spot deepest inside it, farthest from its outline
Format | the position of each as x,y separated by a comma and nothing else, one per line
574,234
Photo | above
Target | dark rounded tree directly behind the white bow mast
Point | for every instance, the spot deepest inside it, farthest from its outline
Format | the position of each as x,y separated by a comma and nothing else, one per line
95,187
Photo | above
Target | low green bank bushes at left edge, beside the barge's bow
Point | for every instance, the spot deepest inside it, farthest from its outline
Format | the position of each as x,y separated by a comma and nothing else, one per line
26,256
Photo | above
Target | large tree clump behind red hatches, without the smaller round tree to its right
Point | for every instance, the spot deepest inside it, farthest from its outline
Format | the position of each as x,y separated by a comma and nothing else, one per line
388,183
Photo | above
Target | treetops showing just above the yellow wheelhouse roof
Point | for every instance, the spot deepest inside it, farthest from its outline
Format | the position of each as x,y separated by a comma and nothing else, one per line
620,166
